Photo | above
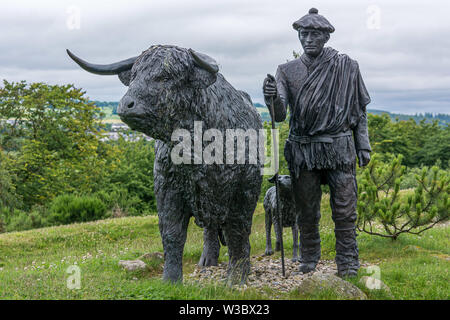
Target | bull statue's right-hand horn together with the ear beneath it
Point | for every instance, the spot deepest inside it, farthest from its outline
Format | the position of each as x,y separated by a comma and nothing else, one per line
205,70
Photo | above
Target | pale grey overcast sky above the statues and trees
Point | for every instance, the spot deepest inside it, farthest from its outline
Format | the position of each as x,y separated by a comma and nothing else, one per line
403,47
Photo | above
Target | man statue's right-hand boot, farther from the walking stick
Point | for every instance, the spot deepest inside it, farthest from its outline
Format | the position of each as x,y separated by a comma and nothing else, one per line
346,252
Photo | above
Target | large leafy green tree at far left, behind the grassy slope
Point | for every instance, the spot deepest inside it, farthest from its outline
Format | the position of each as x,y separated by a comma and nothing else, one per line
60,140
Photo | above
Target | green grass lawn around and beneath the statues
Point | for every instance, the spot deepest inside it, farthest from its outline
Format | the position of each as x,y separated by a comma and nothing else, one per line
33,264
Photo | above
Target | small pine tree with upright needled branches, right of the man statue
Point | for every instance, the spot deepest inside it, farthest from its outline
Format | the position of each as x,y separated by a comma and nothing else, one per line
384,211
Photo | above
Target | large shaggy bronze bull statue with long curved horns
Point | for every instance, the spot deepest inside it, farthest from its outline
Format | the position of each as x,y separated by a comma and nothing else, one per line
173,89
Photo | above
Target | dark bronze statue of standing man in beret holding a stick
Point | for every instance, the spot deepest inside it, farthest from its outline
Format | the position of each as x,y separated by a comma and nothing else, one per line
328,129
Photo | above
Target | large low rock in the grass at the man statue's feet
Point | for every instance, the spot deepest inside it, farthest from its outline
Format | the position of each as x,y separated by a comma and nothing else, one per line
329,282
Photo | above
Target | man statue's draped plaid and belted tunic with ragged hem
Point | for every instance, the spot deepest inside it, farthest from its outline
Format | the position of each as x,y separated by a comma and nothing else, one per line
327,99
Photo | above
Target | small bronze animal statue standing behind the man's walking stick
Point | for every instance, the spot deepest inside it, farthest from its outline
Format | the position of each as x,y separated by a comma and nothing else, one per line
287,211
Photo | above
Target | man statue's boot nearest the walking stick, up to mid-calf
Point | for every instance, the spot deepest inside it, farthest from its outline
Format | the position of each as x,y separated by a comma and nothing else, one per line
309,247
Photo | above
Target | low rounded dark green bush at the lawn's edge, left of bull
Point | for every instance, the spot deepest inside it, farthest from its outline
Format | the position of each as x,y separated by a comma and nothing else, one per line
68,209
